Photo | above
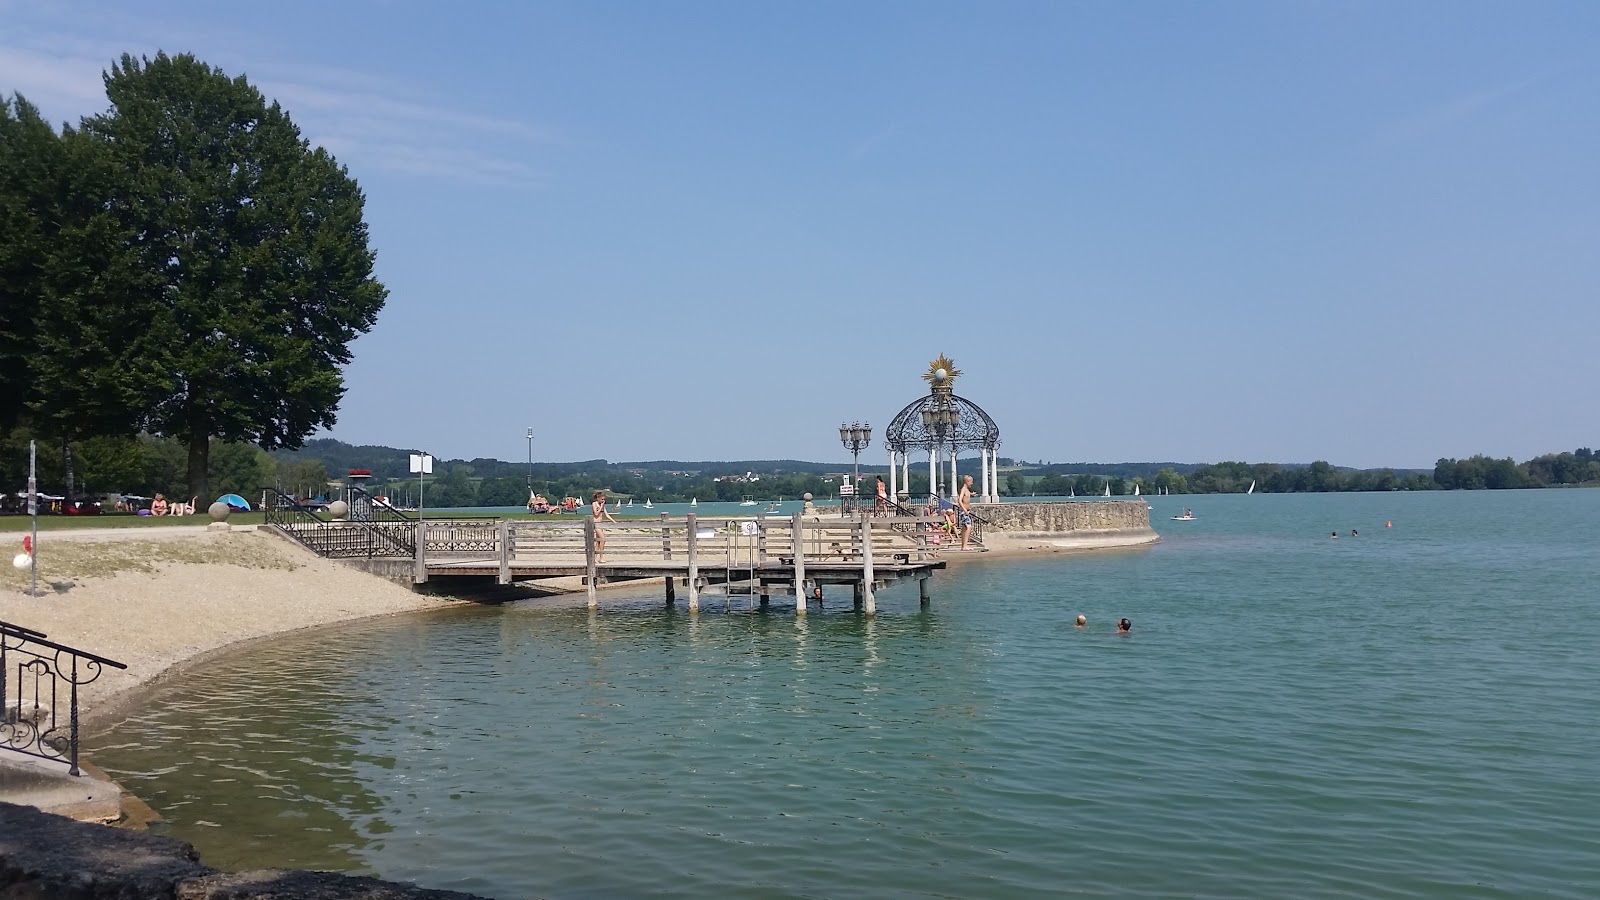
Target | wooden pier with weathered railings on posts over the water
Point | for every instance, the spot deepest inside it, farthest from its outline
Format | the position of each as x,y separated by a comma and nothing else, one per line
753,556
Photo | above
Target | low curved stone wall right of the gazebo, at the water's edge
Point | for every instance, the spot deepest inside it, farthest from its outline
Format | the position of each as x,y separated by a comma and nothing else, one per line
1068,524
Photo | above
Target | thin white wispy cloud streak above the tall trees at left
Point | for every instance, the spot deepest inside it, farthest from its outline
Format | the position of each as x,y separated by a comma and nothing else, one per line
364,119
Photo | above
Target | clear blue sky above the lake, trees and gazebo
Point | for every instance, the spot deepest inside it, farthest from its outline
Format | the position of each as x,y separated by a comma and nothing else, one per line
1284,231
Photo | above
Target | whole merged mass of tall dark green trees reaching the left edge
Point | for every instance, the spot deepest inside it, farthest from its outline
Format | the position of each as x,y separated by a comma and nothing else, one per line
186,265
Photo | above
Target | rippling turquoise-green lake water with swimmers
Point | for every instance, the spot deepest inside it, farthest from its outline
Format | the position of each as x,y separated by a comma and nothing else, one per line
1410,713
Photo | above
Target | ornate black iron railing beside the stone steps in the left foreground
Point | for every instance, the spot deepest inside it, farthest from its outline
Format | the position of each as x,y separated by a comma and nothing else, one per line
34,675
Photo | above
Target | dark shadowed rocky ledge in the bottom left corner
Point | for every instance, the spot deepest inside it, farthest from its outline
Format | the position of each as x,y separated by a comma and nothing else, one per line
47,856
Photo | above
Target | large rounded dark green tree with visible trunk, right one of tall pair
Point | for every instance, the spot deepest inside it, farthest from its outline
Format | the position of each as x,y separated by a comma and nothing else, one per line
254,257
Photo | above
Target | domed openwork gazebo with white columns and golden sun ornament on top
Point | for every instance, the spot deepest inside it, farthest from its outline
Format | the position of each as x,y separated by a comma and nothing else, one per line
943,425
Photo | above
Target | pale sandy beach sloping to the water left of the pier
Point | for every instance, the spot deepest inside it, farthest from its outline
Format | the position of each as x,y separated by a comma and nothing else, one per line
154,601
